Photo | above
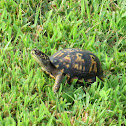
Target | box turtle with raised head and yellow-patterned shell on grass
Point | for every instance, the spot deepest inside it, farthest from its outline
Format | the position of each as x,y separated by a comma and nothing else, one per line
71,62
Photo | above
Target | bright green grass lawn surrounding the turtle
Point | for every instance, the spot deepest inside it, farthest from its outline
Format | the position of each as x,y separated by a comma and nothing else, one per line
26,96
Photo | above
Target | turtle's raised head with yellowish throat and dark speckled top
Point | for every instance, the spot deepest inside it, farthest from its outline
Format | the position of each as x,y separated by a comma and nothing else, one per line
41,58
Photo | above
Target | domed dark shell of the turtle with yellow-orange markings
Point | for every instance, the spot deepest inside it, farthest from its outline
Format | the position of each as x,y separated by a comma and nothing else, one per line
77,63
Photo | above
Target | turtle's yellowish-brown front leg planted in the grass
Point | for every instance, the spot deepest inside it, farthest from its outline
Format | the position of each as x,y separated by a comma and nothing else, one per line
58,79
